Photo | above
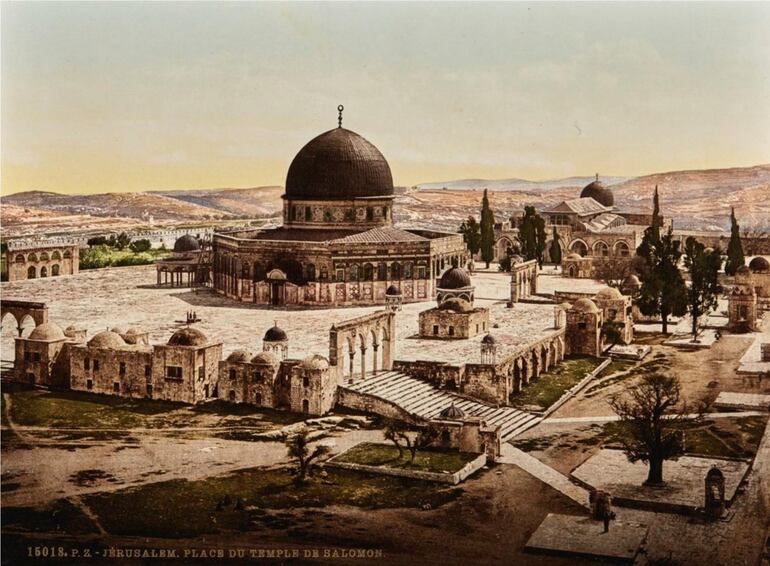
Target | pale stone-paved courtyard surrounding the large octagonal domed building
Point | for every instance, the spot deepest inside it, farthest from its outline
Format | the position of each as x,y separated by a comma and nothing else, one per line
105,298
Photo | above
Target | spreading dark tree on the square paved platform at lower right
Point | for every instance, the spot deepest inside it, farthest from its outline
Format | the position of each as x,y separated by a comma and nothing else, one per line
652,421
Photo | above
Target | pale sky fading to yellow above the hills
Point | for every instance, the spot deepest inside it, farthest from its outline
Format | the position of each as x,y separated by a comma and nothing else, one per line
106,97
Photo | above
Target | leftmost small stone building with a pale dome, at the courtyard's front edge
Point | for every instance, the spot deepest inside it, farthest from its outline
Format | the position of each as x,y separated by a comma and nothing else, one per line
38,361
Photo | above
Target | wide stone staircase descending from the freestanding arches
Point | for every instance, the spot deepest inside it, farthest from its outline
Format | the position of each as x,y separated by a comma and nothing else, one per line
423,400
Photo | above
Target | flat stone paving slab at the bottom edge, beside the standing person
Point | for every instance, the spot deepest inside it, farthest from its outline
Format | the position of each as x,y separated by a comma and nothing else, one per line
584,536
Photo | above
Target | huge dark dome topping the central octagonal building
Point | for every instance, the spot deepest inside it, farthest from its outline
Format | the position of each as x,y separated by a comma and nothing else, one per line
339,164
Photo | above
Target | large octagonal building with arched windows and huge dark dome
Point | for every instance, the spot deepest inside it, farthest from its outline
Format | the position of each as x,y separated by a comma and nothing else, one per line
337,245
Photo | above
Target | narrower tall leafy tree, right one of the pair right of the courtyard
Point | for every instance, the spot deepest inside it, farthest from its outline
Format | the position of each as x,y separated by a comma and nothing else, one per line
704,289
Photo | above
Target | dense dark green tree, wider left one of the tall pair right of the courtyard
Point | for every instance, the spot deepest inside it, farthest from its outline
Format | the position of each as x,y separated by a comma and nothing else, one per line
663,291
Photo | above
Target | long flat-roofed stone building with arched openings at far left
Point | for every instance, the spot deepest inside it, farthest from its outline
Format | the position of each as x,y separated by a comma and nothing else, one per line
32,259
